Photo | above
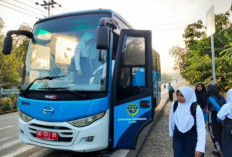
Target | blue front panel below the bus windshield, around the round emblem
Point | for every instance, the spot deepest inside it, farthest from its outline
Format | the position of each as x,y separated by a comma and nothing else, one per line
63,110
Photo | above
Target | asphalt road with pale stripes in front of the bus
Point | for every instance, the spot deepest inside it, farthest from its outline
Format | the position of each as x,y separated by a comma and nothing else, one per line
10,145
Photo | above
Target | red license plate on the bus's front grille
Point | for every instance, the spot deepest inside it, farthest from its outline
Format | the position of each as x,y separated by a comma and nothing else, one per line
47,135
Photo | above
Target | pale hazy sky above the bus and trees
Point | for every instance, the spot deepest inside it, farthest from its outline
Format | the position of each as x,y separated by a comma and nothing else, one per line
166,18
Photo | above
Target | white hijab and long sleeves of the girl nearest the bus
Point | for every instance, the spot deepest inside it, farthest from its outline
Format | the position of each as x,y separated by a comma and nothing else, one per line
184,121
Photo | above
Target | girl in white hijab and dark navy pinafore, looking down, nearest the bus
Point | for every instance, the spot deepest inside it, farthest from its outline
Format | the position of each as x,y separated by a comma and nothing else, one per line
188,131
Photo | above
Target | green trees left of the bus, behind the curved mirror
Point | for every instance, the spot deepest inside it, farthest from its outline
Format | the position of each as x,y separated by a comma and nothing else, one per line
11,66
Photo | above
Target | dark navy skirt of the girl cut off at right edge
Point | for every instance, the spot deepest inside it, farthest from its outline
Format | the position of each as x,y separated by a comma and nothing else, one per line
227,138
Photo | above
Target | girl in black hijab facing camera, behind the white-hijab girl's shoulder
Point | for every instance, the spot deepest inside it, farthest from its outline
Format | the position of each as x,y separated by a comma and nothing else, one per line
202,99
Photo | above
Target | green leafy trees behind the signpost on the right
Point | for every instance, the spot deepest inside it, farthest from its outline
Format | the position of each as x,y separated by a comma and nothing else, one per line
194,62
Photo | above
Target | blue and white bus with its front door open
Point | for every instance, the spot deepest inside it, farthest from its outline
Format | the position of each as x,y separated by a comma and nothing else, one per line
91,82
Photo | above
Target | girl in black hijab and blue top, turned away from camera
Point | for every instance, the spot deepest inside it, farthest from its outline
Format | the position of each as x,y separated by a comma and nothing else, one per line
215,102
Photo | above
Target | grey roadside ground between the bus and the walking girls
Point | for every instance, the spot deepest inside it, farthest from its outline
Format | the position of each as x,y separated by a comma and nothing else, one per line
159,144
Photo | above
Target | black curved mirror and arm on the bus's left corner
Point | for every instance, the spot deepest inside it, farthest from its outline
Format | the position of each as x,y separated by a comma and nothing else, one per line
7,45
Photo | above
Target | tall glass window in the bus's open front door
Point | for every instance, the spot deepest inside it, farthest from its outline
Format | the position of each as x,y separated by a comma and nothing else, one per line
132,77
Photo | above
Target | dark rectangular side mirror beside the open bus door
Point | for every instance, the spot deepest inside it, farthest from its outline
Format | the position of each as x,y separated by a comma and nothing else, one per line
103,37
